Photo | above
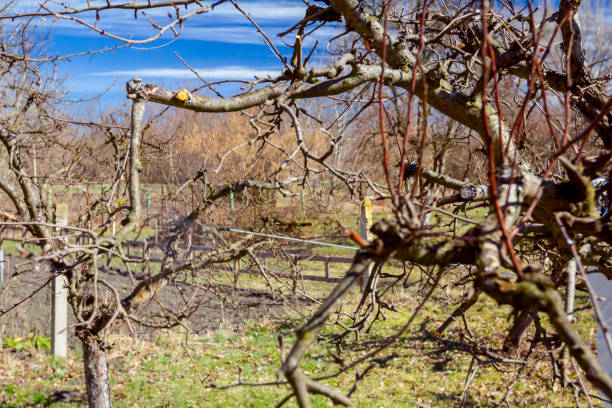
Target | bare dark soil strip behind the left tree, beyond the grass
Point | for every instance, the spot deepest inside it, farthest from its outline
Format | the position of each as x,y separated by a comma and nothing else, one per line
218,305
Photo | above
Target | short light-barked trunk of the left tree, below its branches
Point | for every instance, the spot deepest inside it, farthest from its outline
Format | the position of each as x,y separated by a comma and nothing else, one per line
96,372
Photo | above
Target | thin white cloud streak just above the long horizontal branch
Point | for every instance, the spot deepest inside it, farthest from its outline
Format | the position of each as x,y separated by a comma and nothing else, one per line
228,72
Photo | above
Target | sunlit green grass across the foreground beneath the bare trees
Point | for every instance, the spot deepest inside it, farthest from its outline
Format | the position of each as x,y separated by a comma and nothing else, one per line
420,369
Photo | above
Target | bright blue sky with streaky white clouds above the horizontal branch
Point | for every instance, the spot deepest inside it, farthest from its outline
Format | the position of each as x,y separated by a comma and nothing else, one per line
221,44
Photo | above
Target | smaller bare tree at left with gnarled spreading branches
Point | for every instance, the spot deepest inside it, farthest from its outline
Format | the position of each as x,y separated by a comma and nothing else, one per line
42,161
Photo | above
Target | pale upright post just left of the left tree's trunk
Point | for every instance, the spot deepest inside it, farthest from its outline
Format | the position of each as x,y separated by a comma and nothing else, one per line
59,308
